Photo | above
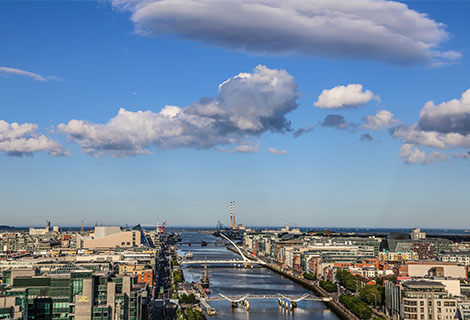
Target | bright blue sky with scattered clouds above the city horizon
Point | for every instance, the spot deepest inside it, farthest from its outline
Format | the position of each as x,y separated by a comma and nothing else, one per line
83,61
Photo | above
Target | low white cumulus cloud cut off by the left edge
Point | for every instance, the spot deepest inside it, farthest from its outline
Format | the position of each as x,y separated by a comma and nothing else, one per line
24,139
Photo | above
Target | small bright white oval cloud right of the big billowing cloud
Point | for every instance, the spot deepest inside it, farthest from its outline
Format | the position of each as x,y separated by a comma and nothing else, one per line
351,95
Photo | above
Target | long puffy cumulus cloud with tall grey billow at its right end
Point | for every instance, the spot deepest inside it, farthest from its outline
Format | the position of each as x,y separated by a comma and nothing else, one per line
246,106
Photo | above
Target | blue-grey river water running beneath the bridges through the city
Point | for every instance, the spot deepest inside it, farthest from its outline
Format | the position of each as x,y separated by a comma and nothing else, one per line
239,281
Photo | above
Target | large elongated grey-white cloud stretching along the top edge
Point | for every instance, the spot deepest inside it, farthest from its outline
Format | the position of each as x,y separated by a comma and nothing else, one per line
360,29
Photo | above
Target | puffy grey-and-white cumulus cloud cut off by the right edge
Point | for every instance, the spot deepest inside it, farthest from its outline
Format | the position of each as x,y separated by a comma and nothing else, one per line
444,126
